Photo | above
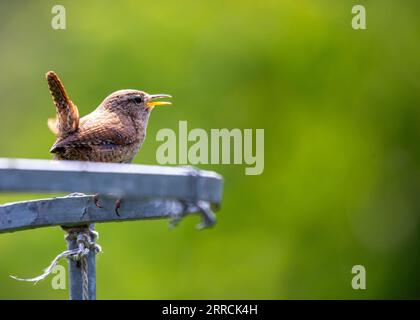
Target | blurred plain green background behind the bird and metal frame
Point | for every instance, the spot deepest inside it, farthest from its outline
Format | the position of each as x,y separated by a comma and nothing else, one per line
340,110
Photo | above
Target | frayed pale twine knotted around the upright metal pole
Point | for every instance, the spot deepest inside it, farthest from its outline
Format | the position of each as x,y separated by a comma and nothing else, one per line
86,241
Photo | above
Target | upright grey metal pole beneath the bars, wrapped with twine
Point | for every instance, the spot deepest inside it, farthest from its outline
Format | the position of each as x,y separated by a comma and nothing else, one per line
75,272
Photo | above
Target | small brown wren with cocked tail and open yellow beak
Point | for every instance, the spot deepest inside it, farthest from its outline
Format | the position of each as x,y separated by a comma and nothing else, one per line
113,132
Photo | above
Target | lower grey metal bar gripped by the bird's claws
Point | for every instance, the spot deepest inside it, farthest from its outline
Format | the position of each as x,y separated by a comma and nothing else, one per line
81,209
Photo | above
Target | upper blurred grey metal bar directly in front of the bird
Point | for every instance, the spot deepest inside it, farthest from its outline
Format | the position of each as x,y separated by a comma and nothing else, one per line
128,180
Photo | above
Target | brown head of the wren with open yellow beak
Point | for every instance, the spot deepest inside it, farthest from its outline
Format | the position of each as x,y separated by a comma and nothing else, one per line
134,103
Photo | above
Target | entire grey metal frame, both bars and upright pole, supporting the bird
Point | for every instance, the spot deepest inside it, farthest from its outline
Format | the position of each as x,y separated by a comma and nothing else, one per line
147,192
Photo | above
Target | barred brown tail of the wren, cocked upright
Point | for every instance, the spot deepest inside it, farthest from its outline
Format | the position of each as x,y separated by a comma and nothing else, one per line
67,120
